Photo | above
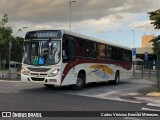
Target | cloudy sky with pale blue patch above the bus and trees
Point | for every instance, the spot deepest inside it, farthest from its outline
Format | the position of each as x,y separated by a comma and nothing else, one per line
122,22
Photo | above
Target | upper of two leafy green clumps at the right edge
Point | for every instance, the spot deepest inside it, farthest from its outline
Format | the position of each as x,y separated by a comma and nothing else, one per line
155,18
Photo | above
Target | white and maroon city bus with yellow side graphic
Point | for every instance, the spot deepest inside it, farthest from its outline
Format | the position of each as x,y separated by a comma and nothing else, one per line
61,57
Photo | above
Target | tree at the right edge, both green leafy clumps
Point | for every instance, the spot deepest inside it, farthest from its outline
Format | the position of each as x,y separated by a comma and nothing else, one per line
154,16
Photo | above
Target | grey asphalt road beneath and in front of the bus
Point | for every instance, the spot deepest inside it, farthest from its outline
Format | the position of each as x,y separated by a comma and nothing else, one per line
17,96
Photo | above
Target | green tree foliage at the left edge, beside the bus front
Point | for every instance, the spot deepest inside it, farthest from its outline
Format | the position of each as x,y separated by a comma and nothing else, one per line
5,37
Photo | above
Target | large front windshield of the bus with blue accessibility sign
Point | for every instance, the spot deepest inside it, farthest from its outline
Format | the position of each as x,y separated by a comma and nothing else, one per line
41,52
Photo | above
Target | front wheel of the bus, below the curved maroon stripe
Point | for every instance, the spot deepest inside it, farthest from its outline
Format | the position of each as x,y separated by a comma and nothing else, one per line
80,82
